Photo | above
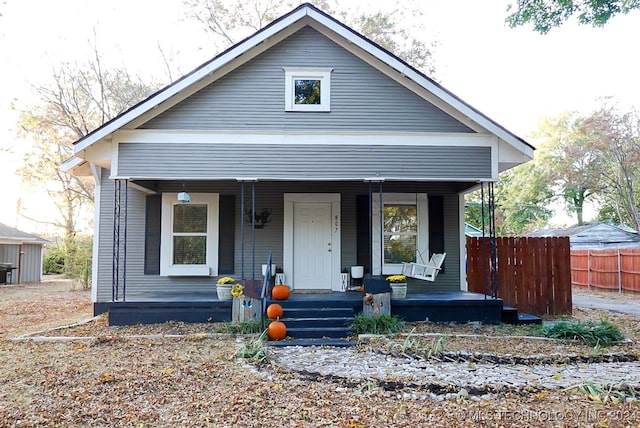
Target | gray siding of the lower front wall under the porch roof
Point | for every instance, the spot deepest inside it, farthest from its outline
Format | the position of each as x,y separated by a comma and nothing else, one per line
269,239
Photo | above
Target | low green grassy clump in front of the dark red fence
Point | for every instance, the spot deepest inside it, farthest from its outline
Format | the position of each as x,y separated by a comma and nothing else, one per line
601,333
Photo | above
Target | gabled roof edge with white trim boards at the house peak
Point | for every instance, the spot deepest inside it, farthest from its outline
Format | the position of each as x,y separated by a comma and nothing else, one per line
305,14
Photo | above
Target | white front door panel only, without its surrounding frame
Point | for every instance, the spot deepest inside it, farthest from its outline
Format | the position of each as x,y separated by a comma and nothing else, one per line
312,245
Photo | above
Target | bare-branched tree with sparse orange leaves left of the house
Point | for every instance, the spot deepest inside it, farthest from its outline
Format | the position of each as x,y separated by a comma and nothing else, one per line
81,98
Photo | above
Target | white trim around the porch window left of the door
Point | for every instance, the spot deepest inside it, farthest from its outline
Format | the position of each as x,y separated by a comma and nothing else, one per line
167,268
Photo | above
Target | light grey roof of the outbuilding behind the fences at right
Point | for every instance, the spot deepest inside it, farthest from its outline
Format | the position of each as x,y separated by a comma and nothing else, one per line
594,236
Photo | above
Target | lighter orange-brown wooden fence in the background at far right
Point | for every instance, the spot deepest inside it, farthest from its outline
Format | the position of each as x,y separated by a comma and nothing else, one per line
613,269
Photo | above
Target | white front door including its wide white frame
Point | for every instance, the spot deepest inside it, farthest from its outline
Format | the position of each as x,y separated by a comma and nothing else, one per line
312,241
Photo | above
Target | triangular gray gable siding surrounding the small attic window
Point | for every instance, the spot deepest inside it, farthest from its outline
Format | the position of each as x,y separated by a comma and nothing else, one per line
252,96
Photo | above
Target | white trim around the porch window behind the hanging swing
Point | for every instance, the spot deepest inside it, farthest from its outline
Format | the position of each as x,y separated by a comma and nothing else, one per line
422,250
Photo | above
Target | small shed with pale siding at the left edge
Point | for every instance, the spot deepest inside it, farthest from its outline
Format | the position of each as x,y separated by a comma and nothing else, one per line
21,253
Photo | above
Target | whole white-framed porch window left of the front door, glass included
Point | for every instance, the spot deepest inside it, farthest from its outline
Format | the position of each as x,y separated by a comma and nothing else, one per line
189,235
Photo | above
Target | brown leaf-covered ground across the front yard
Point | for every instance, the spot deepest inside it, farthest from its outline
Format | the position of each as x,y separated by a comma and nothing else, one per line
195,380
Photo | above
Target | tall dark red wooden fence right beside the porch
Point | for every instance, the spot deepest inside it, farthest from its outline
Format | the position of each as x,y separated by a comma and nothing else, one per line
533,274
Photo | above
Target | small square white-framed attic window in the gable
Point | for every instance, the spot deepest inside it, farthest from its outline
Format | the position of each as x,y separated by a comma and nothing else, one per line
307,89
